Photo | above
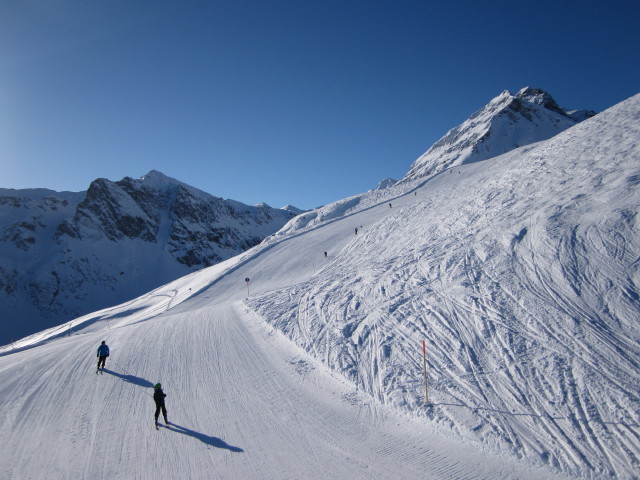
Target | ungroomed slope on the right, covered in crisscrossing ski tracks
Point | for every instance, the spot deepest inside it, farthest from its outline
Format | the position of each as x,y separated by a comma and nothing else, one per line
522,275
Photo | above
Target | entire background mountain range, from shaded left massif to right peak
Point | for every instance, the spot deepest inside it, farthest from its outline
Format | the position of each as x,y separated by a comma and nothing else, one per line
64,254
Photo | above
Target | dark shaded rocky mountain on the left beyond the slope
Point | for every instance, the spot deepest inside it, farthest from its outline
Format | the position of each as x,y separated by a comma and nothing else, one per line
63,254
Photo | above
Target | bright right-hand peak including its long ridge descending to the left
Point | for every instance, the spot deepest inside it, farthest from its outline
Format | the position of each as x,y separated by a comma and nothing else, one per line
506,123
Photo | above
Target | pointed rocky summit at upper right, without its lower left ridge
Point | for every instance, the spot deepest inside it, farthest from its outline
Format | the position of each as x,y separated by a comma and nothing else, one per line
506,123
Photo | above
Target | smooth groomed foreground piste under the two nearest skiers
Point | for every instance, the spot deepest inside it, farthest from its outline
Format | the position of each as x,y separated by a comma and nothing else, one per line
242,403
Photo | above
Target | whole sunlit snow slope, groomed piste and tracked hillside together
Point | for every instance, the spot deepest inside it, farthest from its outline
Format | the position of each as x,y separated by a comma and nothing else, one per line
519,272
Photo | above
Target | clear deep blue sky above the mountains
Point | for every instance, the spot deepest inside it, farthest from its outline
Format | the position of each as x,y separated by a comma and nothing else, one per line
286,102
